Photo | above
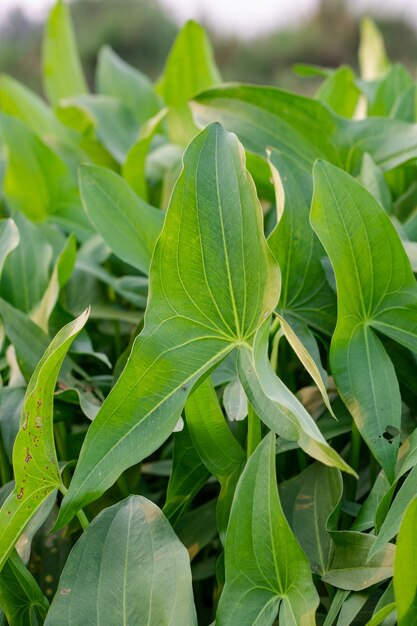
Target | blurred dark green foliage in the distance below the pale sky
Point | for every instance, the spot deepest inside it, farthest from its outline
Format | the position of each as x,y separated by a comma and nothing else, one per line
142,31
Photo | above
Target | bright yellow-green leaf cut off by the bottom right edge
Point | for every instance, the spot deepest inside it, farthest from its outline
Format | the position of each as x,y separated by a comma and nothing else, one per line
405,581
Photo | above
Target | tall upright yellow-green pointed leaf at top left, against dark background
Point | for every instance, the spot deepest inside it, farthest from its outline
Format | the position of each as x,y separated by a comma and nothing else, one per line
62,73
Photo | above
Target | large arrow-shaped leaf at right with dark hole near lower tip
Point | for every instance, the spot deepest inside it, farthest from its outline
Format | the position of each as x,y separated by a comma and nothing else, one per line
376,292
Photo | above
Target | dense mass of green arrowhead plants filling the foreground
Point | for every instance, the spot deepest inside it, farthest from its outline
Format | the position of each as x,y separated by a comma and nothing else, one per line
182,352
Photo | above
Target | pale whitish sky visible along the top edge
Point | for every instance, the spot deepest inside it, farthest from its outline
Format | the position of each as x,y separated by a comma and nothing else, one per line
245,17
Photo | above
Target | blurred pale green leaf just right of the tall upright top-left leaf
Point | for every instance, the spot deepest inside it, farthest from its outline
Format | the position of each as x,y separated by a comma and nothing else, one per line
117,78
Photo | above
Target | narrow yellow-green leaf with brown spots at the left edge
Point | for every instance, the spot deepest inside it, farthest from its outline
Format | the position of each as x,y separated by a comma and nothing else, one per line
34,457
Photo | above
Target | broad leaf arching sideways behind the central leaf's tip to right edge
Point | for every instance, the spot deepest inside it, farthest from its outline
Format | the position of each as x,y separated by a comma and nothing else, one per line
305,128
